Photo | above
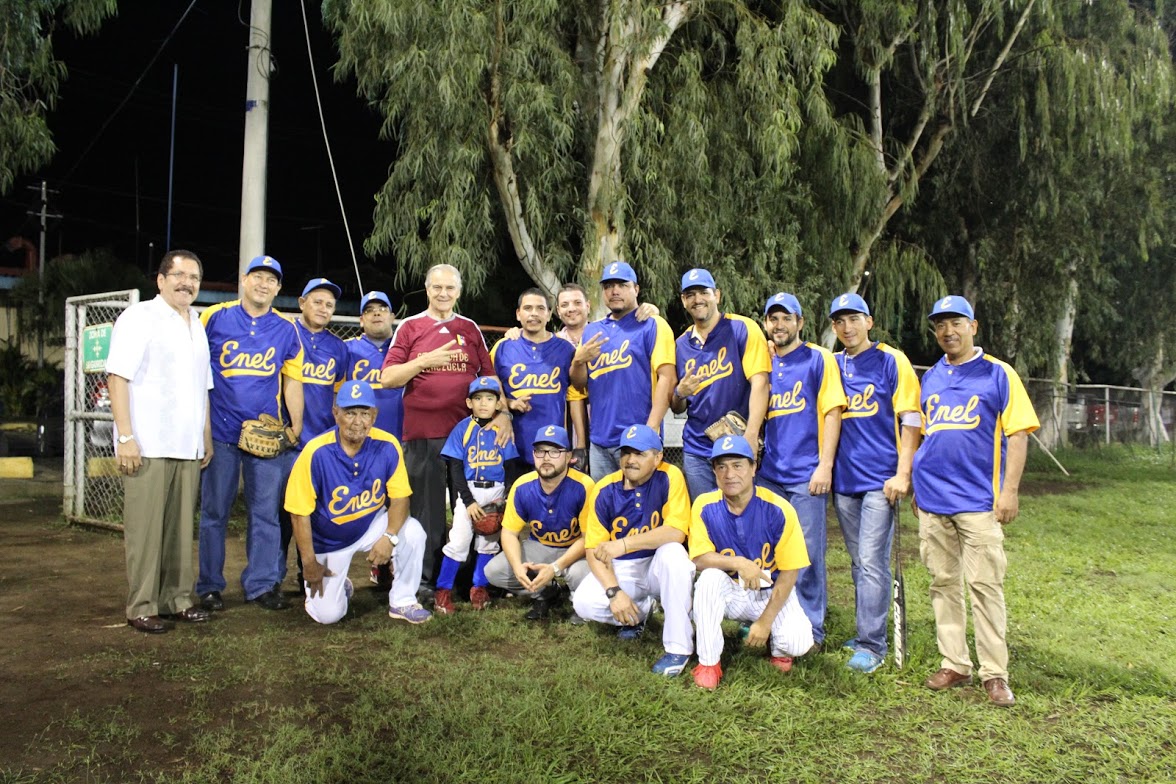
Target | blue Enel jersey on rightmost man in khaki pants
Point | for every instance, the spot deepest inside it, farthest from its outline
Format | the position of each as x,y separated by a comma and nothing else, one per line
968,412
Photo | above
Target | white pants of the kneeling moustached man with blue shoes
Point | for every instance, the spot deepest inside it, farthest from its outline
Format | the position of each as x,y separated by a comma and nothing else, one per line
667,577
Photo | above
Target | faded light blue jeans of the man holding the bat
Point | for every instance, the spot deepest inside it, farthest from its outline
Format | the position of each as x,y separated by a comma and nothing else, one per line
867,525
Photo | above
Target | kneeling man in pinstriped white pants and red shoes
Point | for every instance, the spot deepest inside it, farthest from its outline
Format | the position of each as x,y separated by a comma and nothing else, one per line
749,547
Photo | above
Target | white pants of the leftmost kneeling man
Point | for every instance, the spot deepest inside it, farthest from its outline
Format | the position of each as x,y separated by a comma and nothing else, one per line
407,560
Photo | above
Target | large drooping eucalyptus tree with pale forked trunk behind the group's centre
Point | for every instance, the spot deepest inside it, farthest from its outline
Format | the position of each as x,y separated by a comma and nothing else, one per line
671,133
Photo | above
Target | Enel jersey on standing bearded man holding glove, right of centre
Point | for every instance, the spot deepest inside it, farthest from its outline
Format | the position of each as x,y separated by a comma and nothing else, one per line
734,352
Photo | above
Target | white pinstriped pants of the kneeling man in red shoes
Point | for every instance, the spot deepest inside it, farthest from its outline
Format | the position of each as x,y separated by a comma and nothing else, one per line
718,597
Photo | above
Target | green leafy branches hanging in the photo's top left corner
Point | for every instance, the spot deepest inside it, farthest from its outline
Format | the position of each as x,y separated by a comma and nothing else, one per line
31,76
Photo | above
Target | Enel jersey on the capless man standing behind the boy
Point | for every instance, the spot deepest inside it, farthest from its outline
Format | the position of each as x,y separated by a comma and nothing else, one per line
542,370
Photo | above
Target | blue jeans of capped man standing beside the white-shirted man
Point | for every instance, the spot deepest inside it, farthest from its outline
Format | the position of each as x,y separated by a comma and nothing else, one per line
264,483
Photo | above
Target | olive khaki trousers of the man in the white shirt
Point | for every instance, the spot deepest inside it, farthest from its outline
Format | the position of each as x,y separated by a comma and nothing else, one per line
158,518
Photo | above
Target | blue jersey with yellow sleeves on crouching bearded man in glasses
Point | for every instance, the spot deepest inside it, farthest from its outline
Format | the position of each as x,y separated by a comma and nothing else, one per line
552,518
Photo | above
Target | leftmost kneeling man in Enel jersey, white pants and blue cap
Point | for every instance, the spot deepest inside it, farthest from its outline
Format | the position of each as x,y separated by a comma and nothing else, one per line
349,493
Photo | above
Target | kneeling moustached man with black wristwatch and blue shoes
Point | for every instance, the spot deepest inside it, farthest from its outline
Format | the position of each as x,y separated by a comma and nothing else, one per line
637,524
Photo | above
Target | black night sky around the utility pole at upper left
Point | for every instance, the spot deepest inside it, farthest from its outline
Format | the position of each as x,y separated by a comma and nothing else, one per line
97,193
